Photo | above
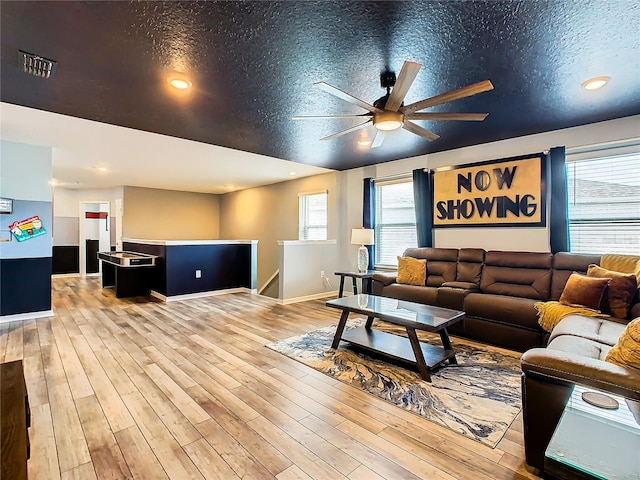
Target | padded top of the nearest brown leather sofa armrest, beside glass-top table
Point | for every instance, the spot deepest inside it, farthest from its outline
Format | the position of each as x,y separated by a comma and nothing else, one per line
568,367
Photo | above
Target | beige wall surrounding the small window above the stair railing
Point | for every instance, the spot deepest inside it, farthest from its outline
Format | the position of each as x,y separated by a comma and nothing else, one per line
270,213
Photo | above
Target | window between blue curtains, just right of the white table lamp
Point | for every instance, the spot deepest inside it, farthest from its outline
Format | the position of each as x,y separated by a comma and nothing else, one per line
395,229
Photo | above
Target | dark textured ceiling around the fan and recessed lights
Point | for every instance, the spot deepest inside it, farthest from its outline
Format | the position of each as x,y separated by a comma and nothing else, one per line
253,65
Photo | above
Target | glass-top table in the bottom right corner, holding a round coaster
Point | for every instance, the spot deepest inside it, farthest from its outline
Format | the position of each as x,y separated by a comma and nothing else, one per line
595,443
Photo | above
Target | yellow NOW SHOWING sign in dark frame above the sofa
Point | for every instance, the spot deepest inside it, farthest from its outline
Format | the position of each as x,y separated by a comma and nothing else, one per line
508,192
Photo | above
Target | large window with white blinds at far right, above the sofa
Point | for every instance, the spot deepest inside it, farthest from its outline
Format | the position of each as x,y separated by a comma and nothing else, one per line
604,204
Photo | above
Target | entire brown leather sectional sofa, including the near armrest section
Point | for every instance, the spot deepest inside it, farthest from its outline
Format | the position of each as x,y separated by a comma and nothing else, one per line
497,291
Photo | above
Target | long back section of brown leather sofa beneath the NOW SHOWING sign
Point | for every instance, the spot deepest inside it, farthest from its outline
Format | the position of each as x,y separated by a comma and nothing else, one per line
495,289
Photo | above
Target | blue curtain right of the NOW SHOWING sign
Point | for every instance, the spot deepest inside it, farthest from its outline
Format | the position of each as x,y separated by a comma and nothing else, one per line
559,205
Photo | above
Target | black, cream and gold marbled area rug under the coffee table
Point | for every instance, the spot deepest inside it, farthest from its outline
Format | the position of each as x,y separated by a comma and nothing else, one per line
478,398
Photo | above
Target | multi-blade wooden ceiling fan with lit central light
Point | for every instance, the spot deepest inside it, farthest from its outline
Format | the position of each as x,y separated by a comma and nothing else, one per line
388,113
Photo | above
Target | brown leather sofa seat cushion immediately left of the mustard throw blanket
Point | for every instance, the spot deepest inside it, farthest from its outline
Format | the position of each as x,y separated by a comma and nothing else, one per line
502,308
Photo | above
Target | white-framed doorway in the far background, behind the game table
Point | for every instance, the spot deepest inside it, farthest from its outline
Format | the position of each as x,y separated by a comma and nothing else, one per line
95,235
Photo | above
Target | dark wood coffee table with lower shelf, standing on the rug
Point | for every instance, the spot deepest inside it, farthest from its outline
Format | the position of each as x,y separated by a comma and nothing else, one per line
412,316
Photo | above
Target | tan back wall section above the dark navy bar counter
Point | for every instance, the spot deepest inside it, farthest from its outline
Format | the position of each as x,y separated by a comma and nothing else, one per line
151,213
